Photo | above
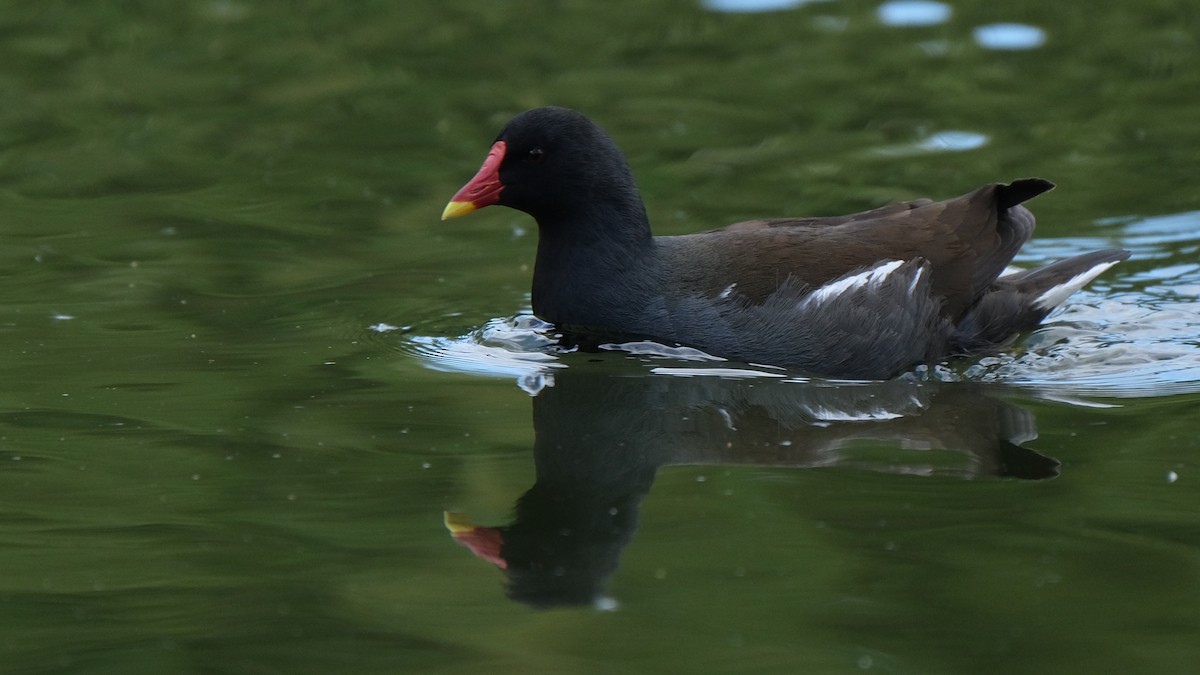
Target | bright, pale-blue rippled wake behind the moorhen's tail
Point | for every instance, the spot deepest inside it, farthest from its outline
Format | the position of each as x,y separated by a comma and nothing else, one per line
1132,333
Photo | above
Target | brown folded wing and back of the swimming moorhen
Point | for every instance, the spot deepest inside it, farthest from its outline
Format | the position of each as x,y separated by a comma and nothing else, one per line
969,241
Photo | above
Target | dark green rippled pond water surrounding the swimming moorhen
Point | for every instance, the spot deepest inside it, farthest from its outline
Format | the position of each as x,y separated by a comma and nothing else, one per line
245,369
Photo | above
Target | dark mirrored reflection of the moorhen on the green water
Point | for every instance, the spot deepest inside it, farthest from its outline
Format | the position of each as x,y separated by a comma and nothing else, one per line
601,439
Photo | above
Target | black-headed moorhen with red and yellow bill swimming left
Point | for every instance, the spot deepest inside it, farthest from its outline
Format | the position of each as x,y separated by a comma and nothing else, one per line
862,296
